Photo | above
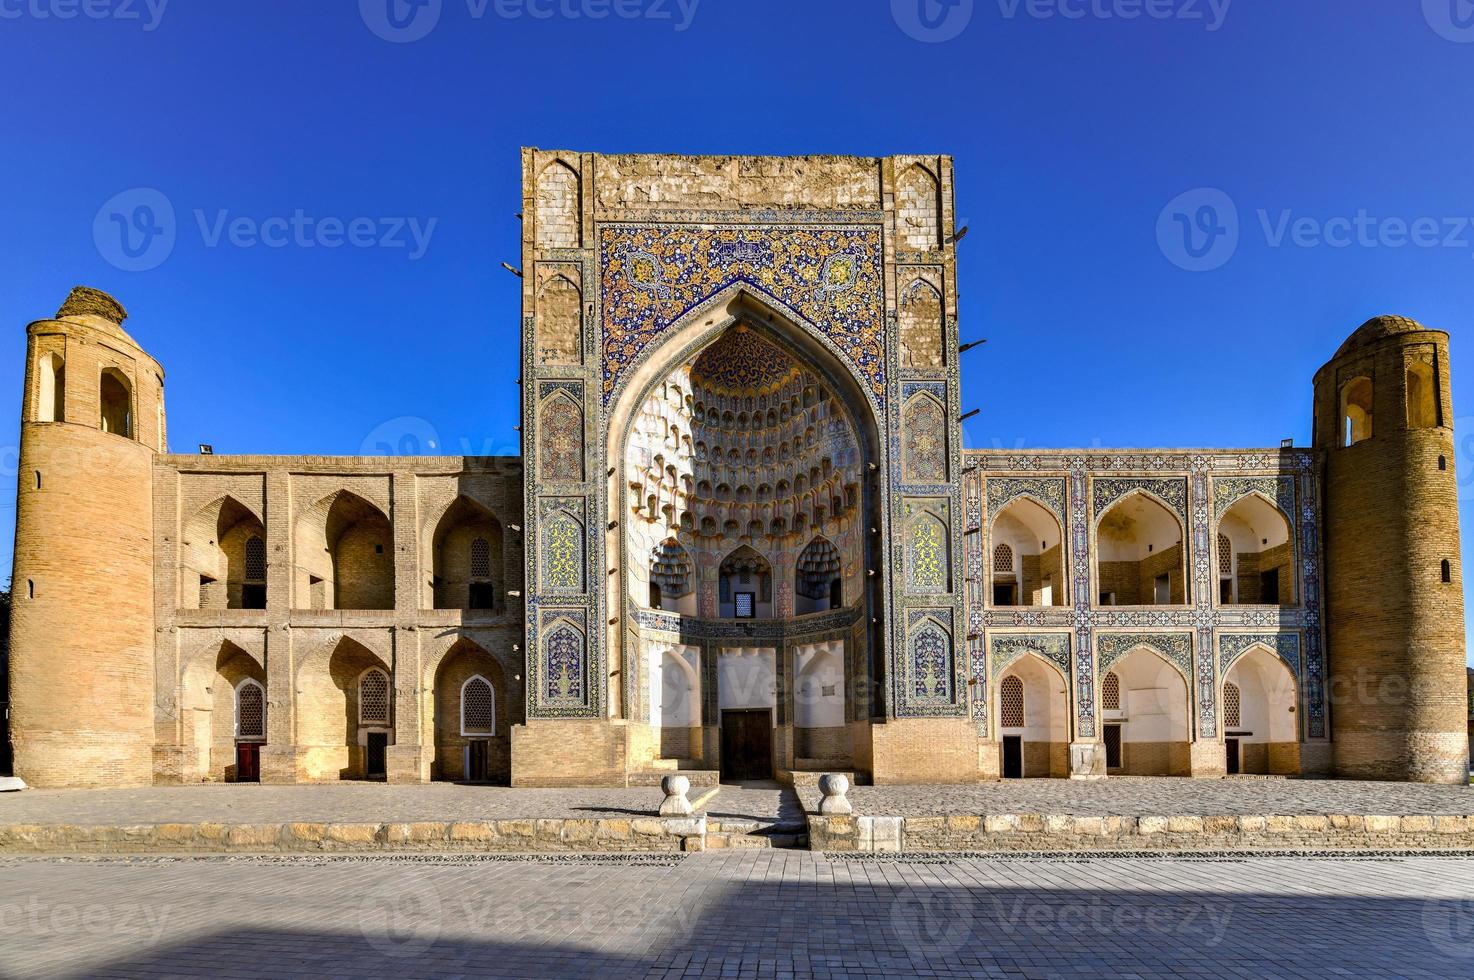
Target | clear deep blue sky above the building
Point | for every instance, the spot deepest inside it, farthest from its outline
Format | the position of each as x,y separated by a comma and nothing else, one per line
1071,133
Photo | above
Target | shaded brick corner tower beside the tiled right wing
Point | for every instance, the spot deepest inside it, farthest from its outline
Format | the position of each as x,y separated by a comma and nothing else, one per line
1395,602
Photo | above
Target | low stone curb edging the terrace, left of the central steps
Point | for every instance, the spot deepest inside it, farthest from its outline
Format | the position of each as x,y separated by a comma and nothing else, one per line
565,835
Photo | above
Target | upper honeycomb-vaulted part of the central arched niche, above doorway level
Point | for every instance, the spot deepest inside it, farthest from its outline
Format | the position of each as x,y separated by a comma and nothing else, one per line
741,440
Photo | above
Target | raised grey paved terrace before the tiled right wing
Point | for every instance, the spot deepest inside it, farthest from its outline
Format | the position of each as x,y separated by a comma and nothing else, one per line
1130,797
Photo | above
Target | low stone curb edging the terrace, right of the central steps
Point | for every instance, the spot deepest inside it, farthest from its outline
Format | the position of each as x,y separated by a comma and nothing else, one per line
1168,832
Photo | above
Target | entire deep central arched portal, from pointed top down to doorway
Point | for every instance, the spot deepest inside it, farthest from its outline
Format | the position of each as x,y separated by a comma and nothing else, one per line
742,478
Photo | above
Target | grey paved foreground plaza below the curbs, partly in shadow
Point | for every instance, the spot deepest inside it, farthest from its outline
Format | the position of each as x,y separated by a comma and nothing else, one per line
751,914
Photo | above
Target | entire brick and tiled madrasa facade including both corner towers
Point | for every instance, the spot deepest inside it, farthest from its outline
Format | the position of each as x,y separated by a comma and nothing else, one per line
744,540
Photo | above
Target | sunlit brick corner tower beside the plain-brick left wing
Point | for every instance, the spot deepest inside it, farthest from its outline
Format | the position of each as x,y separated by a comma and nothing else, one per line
82,631
